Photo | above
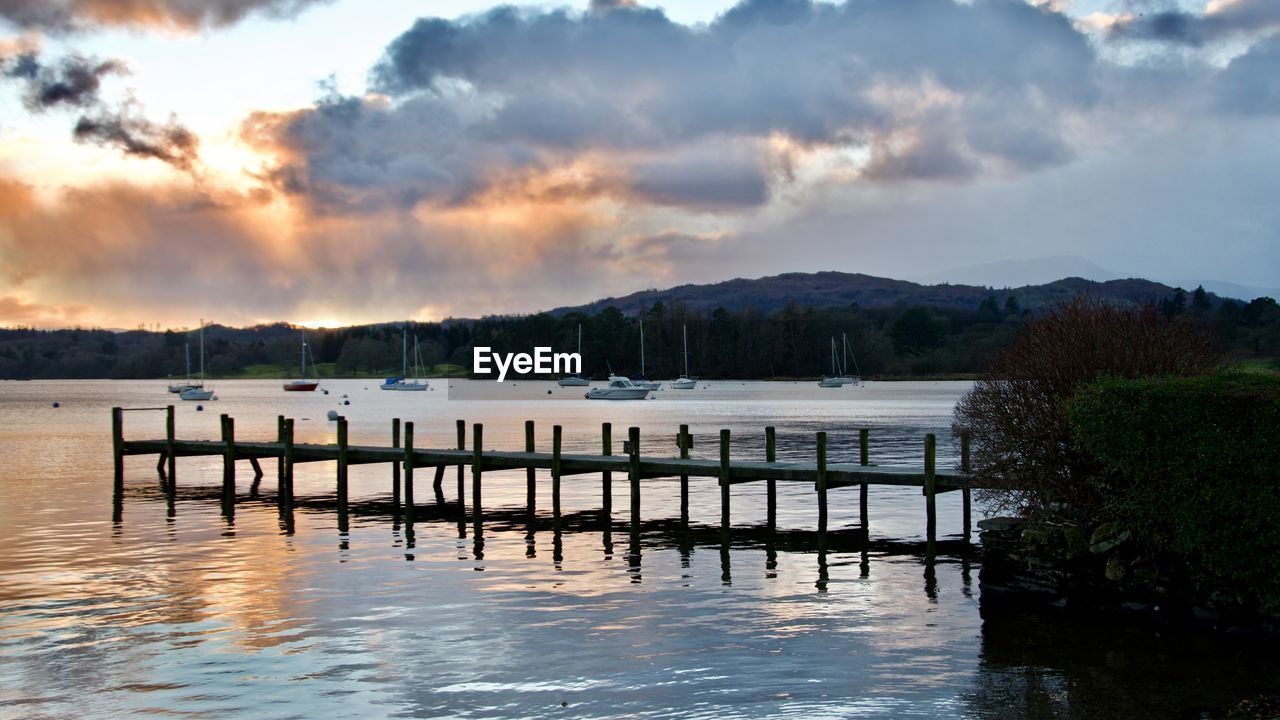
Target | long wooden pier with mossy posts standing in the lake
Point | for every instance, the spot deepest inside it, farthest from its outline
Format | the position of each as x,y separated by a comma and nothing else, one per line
405,458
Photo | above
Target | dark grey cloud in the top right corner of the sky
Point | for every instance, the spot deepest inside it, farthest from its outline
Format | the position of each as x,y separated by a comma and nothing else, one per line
1176,26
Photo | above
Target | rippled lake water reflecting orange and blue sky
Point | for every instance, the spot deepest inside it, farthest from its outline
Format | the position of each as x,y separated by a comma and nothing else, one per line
184,613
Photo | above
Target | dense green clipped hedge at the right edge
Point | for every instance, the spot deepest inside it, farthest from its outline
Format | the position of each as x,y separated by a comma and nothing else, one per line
1192,467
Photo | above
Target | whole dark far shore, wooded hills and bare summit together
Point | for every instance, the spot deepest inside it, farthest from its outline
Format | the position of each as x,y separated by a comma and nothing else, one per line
766,329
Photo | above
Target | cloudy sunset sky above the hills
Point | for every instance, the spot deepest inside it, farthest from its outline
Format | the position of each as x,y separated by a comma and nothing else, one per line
344,162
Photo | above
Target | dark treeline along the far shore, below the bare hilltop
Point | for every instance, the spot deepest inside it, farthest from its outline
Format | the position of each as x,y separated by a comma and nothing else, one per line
792,343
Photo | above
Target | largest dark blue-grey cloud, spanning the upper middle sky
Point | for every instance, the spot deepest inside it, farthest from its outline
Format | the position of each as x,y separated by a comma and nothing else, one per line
932,89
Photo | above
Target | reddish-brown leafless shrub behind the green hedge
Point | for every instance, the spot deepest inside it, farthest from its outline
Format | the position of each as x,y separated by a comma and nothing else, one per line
1022,443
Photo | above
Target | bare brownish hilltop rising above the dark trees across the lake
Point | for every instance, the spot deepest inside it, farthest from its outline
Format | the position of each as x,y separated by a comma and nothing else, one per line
831,289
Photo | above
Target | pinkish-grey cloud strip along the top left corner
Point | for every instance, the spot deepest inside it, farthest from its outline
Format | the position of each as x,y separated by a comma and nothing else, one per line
72,16
